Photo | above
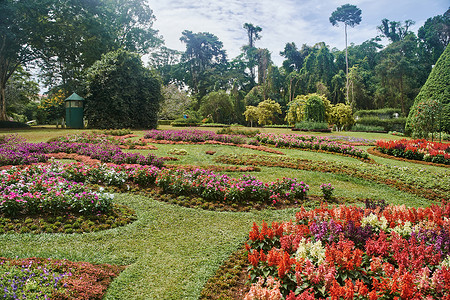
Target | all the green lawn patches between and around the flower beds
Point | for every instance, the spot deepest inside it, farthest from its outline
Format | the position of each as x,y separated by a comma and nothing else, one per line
170,251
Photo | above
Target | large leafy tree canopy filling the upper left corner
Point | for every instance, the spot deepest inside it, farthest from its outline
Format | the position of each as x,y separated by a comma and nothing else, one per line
65,37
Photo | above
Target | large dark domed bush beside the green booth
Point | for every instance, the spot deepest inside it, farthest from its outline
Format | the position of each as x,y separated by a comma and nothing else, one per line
121,93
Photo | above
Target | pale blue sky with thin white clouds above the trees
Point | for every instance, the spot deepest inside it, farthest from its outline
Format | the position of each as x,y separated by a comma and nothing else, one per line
283,21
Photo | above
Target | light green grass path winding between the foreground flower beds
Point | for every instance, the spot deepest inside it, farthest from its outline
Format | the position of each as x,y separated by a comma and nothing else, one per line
170,251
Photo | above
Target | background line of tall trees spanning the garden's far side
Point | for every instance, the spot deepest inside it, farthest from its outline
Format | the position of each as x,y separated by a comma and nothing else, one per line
65,38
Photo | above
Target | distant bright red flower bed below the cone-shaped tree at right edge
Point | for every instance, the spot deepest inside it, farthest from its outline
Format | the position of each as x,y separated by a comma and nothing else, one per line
417,150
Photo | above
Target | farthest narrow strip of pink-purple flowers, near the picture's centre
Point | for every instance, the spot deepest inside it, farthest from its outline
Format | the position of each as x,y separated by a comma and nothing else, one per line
193,135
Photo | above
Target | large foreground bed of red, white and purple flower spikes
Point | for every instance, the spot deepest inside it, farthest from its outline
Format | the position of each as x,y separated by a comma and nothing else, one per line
344,252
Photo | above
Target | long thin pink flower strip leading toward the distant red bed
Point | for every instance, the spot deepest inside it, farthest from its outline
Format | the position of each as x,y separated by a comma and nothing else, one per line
310,142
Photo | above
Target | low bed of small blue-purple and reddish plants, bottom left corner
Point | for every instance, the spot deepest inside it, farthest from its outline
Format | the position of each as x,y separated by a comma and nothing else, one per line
38,278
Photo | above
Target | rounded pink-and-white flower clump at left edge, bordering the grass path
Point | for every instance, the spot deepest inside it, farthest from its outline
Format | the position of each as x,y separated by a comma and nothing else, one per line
39,189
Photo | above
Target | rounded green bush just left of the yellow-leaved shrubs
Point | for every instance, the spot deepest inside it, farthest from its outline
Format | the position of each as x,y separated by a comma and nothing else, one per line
218,106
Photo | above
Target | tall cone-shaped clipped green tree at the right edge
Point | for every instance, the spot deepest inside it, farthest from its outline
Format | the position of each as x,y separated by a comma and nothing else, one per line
436,88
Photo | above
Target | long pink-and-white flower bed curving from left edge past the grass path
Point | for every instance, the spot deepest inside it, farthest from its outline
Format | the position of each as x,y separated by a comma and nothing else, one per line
196,183
